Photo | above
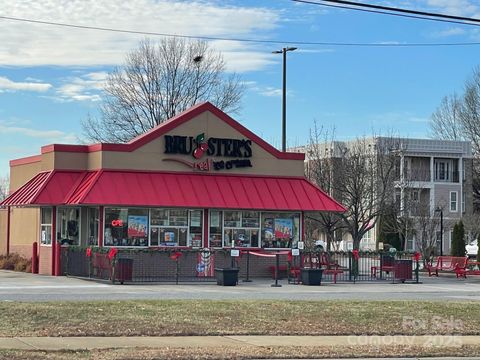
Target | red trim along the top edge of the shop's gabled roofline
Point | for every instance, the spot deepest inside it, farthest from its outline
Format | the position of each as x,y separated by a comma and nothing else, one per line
169,125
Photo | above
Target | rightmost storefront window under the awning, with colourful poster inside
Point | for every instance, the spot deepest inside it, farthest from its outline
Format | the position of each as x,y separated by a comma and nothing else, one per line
280,230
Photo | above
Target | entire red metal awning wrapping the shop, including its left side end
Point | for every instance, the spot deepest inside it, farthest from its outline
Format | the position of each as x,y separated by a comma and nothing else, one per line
194,190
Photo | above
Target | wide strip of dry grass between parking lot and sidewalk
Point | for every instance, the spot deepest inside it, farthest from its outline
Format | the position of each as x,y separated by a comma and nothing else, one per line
173,317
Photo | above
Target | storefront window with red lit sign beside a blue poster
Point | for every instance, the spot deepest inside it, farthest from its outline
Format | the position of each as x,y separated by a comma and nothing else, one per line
126,227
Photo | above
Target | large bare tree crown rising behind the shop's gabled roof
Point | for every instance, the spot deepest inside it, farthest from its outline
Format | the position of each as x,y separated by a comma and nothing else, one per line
156,83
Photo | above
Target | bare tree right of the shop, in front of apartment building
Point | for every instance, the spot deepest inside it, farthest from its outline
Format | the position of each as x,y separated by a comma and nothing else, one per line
360,176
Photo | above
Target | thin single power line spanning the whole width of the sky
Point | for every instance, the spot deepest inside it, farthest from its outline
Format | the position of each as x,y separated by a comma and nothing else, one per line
212,38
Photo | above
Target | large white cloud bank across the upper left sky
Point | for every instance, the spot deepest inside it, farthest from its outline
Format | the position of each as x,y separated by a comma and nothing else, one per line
28,44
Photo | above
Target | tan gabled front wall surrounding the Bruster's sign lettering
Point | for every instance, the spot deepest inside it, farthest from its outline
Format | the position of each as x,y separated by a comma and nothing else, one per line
151,155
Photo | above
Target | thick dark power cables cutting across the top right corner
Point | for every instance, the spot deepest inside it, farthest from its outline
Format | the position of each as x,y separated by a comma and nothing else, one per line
433,16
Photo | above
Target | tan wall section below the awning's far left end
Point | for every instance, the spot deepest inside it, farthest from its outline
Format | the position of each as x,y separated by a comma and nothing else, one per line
24,226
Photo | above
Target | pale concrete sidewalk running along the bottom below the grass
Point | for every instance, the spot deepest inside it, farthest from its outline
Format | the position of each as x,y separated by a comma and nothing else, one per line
90,343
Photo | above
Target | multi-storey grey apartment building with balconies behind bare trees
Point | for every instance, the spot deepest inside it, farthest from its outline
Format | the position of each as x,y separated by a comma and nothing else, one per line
433,178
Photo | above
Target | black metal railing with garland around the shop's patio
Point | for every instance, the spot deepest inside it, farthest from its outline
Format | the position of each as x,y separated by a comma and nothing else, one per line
198,265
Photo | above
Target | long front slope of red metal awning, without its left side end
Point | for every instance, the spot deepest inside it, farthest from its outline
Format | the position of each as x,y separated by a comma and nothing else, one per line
203,191
